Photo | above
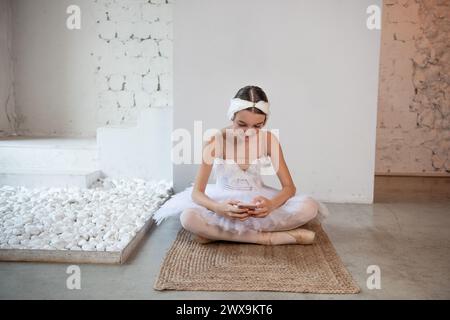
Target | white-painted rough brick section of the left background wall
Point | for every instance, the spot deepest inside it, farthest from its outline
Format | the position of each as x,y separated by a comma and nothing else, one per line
134,58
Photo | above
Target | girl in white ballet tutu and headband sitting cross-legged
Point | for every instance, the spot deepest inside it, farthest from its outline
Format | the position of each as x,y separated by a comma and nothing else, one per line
239,207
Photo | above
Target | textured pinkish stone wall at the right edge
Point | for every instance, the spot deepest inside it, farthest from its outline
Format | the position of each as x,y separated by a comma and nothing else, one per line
413,129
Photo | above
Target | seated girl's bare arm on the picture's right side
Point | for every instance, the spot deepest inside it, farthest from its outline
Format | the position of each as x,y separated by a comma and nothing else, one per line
288,187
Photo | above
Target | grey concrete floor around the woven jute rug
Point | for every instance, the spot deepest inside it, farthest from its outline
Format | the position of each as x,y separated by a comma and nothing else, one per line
409,241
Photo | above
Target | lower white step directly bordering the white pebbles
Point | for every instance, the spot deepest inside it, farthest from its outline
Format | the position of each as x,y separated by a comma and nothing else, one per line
37,178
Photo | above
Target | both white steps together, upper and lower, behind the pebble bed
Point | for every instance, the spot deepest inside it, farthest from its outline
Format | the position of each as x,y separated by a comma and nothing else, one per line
48,162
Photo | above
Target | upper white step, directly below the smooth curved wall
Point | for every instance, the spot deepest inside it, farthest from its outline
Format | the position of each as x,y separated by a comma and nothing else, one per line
52,153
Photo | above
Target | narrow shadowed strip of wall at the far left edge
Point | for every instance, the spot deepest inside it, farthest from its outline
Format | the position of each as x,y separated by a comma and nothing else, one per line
7,102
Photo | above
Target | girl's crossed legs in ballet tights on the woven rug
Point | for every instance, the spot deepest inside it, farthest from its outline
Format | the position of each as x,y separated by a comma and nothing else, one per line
193,221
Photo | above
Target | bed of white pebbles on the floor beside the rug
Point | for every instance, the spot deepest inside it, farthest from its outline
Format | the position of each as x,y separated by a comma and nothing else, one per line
104,217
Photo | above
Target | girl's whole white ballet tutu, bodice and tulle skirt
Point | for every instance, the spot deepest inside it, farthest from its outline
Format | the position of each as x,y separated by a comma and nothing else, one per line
234,183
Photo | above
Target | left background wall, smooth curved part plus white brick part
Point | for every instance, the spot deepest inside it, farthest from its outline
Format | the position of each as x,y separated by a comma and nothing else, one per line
70,82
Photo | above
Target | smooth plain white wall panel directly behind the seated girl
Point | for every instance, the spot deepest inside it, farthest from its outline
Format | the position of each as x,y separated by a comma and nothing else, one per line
318,64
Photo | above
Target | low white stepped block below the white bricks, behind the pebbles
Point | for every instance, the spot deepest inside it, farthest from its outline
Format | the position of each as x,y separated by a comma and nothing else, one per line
142,151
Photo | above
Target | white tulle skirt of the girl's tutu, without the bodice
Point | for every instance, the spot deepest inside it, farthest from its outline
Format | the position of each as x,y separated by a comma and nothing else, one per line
279,219
